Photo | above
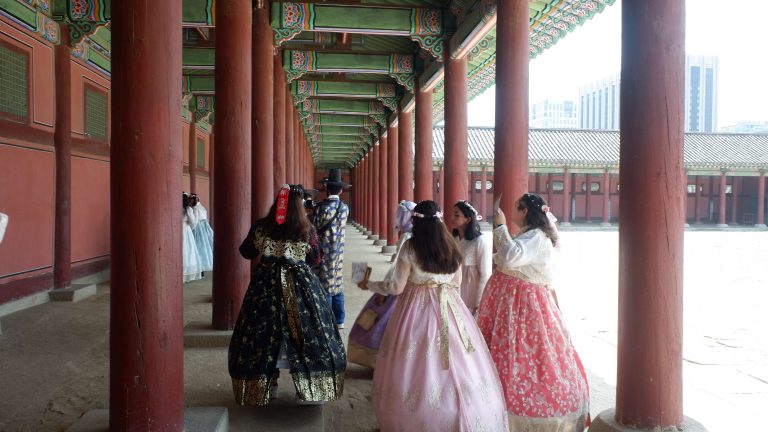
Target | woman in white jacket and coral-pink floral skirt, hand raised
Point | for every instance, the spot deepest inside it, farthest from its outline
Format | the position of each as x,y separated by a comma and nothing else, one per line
544,382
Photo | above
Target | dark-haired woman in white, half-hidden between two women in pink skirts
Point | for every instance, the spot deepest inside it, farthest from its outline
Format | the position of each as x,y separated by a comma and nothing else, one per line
476,268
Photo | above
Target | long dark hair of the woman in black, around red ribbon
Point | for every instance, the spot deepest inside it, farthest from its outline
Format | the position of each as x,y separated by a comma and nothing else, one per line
296,226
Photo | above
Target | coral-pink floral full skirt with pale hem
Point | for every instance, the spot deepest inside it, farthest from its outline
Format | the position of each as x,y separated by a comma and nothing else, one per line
543,379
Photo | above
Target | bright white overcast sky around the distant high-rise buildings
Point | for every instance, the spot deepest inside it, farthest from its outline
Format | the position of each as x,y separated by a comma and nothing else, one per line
733,31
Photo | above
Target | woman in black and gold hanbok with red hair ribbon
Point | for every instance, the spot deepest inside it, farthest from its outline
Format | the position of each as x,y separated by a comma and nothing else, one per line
285,321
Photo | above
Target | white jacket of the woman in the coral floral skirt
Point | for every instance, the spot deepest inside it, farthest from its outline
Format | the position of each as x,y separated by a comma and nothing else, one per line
527,256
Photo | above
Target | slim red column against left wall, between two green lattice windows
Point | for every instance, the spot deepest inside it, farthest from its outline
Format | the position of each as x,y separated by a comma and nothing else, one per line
62,138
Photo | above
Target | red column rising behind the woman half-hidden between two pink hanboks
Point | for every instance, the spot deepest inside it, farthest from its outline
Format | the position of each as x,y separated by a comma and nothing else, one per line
456,166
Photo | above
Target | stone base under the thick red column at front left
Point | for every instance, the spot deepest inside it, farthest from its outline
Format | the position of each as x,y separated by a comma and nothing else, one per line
196,419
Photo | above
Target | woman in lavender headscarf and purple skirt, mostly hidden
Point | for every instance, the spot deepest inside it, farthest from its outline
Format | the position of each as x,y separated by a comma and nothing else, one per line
368,330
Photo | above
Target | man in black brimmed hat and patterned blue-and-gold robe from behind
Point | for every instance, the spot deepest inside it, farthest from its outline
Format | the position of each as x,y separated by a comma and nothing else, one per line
330,219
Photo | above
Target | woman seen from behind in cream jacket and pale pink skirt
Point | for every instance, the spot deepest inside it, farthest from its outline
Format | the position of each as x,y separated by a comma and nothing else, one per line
434,371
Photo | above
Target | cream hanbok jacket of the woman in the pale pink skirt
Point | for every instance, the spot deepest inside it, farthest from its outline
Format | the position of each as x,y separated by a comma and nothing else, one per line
405,270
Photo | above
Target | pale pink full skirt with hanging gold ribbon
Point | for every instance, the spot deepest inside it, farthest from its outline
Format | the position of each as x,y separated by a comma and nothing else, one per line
413,390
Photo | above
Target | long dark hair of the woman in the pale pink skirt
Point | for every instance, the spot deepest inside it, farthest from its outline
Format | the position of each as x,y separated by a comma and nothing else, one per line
436,251
